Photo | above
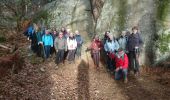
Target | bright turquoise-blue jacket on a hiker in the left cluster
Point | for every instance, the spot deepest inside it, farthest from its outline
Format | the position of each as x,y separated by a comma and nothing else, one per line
47,40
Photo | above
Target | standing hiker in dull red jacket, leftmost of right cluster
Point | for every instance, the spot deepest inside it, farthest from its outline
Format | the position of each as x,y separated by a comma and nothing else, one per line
95,50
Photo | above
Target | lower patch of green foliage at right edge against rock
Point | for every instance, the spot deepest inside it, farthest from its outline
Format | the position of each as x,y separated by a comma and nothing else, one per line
163,42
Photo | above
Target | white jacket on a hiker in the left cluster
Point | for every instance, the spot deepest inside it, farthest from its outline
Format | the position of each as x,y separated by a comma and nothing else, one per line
71,43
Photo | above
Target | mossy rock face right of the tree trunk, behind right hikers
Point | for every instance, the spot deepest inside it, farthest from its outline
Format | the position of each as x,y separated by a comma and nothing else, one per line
118,15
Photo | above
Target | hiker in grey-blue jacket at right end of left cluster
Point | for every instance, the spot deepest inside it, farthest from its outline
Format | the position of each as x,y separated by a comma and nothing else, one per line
79,40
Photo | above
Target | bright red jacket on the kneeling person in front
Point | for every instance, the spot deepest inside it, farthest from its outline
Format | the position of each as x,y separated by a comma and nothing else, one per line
122,62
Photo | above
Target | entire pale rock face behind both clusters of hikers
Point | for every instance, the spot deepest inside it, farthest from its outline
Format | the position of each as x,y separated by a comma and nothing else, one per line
98,16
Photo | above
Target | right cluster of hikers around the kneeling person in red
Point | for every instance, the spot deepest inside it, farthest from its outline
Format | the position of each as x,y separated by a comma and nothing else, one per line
122,53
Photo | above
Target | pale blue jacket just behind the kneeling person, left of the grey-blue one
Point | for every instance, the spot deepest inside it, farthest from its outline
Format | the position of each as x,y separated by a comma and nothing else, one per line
111,46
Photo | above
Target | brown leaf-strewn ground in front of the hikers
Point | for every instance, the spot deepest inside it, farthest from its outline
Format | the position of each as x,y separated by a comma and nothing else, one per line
38,80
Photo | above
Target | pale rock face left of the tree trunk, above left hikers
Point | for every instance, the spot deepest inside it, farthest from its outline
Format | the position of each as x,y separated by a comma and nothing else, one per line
73,14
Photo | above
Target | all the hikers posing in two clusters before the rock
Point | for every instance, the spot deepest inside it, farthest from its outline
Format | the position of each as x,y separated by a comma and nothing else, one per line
121,53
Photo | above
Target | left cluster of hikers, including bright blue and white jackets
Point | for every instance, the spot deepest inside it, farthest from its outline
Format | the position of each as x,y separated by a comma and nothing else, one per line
46,42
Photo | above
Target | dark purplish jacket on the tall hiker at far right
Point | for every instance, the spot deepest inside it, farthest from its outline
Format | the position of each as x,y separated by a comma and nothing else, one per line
134,40
